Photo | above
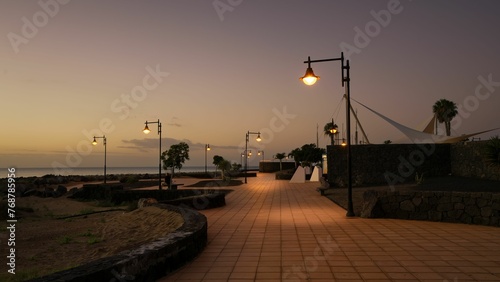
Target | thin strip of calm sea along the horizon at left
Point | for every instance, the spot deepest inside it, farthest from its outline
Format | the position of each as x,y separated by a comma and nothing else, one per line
41,171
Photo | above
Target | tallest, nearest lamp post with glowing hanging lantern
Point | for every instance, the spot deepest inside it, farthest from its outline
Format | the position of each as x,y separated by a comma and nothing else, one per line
309,79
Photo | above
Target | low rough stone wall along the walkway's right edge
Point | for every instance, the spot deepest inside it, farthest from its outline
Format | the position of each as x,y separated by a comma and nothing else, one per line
465,207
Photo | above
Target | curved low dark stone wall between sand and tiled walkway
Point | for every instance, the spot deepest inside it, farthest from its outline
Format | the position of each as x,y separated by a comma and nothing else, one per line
148,262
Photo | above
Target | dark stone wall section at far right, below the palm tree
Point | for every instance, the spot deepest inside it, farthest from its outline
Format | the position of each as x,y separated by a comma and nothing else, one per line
467,159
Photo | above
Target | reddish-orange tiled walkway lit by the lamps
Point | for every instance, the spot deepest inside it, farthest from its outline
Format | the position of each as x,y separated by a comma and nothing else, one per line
276,231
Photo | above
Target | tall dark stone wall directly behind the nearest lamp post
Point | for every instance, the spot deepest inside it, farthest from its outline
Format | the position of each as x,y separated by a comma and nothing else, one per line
389,164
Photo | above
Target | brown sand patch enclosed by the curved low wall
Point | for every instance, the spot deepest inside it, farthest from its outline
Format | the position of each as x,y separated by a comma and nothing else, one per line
45,244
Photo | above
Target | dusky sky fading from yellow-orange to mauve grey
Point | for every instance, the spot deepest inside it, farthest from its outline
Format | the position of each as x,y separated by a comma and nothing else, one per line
211,71
